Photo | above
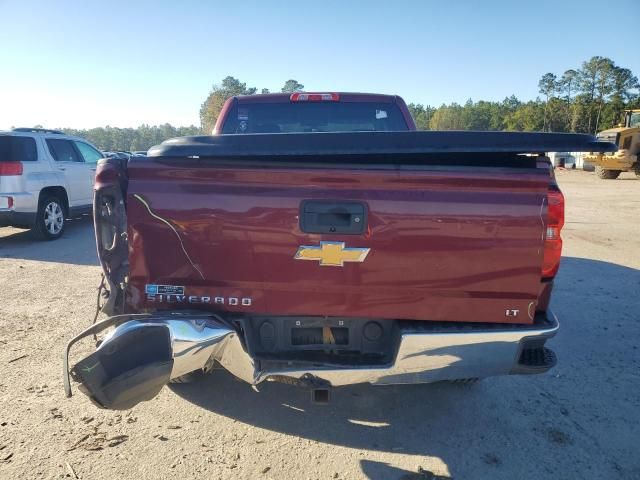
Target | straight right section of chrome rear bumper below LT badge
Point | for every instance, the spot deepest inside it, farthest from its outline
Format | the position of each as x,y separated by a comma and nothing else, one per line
427,355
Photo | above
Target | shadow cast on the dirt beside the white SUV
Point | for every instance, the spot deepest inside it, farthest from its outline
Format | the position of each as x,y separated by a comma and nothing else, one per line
76,246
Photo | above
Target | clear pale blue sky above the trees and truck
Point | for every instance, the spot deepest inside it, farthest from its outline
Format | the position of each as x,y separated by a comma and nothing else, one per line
88,63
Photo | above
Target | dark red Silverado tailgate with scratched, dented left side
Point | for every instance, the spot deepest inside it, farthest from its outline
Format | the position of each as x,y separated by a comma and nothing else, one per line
446,243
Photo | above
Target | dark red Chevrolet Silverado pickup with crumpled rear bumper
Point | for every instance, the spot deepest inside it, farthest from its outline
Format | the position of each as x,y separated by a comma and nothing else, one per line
285,251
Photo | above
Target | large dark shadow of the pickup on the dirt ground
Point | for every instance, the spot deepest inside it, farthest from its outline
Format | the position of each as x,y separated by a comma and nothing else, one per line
474,429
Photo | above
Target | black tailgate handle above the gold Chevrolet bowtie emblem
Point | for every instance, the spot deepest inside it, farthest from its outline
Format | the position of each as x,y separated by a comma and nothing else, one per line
322,216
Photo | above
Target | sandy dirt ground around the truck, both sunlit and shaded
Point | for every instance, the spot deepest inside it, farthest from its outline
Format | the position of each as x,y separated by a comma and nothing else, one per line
581,420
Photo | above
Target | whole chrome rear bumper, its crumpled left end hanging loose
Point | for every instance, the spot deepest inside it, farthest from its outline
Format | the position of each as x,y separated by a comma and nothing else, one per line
145,352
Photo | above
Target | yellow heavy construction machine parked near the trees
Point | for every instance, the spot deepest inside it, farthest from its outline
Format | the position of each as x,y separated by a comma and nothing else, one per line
627,158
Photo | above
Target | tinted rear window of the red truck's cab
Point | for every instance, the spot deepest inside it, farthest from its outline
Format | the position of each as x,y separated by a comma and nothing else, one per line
314,117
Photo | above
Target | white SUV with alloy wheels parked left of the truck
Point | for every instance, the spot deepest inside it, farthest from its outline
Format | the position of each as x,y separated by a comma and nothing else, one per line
45,177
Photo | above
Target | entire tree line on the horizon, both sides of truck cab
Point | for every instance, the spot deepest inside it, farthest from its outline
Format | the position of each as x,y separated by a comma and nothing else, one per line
587,99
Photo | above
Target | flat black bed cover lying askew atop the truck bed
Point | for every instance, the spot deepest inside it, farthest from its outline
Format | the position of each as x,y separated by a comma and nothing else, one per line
367,143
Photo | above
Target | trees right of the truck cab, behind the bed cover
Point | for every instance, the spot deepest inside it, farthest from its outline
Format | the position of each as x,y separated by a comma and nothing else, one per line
585,100
